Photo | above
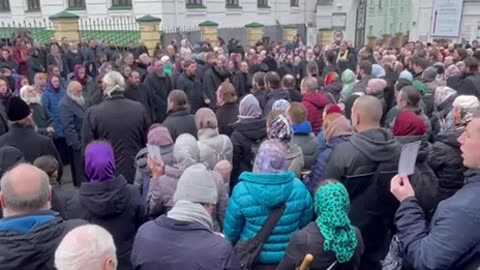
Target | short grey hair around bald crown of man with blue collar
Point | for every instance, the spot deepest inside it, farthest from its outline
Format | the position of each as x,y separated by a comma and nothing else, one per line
25,203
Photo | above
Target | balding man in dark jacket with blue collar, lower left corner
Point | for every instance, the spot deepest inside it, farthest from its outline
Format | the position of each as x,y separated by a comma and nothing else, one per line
29,232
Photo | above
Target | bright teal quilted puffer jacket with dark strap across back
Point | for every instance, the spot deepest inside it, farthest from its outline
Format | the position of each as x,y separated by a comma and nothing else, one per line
251,203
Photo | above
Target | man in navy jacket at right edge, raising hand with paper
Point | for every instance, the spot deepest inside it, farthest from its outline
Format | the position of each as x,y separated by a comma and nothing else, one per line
451,240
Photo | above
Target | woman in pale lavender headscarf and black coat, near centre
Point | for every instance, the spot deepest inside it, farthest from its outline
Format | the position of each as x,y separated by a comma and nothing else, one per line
248,132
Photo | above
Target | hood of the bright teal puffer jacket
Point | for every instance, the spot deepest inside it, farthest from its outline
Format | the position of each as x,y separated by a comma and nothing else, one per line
269,189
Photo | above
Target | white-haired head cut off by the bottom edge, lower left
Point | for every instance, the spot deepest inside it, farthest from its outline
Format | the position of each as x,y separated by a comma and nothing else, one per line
75,250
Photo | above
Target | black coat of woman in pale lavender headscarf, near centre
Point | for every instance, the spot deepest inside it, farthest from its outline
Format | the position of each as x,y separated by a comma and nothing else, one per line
247,133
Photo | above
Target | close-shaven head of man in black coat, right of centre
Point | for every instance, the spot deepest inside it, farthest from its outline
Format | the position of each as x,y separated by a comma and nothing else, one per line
367,112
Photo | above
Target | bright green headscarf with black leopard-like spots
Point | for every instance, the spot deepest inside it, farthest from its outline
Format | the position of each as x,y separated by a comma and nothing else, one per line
332,206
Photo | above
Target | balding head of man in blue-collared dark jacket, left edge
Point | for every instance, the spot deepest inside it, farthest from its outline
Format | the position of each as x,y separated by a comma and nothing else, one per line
24,189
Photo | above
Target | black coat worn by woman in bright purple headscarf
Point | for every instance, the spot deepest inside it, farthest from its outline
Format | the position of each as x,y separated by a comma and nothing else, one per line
115,206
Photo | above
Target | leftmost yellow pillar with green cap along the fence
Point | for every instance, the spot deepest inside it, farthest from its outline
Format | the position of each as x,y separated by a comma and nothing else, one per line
66,25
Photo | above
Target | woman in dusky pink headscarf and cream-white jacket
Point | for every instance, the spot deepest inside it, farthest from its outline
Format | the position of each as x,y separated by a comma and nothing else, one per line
213,146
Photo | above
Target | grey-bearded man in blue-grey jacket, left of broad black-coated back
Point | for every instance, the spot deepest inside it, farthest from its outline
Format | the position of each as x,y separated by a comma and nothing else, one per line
72,113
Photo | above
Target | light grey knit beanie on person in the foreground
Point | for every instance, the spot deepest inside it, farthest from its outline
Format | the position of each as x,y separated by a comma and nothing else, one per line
197,184
